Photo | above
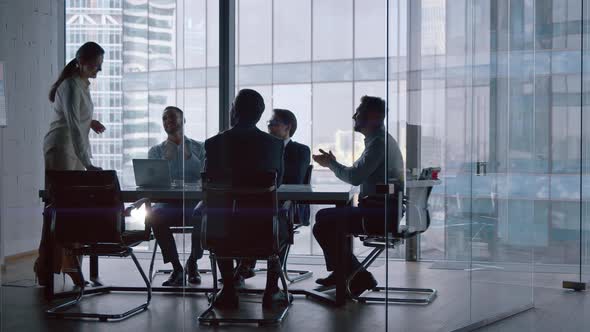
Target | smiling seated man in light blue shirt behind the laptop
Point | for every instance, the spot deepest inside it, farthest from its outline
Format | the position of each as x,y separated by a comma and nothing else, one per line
186,158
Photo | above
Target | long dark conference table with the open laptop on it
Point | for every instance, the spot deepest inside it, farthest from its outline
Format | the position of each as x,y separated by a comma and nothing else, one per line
325,194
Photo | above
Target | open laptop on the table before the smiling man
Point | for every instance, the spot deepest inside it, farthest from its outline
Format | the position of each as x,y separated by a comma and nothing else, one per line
152,173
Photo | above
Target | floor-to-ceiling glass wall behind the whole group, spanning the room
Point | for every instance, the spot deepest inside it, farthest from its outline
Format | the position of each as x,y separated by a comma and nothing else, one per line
489,91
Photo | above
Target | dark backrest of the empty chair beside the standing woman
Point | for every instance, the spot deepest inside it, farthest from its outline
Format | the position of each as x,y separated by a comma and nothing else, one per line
86,206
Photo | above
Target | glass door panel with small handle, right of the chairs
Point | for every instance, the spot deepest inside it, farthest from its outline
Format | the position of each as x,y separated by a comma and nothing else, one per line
506,209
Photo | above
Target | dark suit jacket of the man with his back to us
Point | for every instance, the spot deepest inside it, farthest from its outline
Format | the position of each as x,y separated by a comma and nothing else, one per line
243,150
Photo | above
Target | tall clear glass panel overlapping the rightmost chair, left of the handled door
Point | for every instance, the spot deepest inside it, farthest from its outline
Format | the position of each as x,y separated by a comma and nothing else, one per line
429,115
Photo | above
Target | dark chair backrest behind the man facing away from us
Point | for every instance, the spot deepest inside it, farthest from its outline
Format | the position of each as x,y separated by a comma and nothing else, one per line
240,218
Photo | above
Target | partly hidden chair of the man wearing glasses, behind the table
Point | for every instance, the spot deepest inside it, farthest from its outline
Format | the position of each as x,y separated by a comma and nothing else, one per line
293,212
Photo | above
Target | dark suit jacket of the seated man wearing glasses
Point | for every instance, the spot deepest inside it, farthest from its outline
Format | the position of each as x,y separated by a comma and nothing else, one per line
297,159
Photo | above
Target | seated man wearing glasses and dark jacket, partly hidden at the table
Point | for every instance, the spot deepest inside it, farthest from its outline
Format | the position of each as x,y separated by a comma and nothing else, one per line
283,125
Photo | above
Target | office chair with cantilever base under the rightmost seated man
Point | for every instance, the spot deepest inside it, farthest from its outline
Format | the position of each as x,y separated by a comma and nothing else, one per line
417,222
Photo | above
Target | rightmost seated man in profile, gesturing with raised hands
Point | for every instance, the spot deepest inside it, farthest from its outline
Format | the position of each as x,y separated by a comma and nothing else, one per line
367,171
